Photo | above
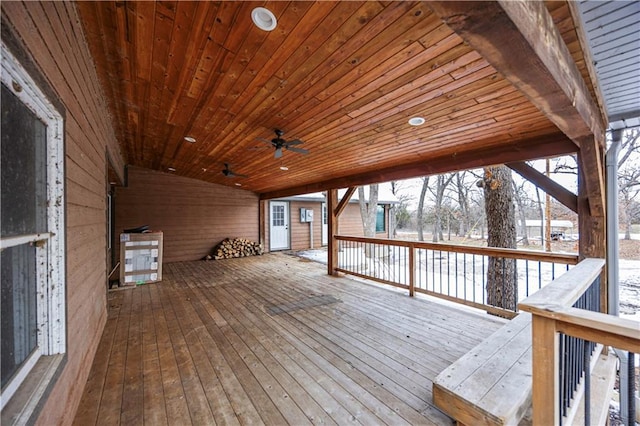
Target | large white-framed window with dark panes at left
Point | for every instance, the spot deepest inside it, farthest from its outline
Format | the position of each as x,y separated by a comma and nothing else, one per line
32,247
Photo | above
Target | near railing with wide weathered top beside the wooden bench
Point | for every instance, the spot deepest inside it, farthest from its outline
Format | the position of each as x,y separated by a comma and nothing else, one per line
556,314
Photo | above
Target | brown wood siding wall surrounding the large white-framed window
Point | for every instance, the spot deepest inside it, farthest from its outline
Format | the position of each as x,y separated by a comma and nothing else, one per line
52,40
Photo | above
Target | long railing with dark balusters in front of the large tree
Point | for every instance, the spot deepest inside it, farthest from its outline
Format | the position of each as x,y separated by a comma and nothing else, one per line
453,272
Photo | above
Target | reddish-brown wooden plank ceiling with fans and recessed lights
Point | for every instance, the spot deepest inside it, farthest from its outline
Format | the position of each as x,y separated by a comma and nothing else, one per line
343,77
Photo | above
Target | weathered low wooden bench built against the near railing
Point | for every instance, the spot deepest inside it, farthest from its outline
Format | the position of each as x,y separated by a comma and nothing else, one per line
491,384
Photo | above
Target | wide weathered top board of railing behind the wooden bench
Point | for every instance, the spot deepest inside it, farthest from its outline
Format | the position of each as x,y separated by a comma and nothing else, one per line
566,289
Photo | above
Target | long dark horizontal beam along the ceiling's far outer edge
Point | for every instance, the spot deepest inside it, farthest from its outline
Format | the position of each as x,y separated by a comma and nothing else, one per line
550,146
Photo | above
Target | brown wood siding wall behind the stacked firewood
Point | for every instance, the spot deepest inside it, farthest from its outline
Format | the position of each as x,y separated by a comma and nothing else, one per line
193,215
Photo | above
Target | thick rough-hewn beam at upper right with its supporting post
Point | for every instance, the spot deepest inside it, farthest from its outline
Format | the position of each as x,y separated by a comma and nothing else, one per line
520,40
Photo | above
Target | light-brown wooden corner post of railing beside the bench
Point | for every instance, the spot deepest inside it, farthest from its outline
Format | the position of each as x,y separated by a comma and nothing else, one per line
546,408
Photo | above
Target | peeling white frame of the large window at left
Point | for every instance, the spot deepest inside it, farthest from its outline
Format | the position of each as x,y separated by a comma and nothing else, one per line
50,252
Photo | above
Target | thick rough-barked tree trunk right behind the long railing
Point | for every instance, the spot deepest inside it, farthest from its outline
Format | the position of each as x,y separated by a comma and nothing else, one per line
501,229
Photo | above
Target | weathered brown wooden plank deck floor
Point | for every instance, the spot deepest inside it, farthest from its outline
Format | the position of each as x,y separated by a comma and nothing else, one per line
272,340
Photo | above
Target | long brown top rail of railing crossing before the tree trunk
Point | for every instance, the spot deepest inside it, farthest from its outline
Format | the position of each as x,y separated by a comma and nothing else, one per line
570,259
